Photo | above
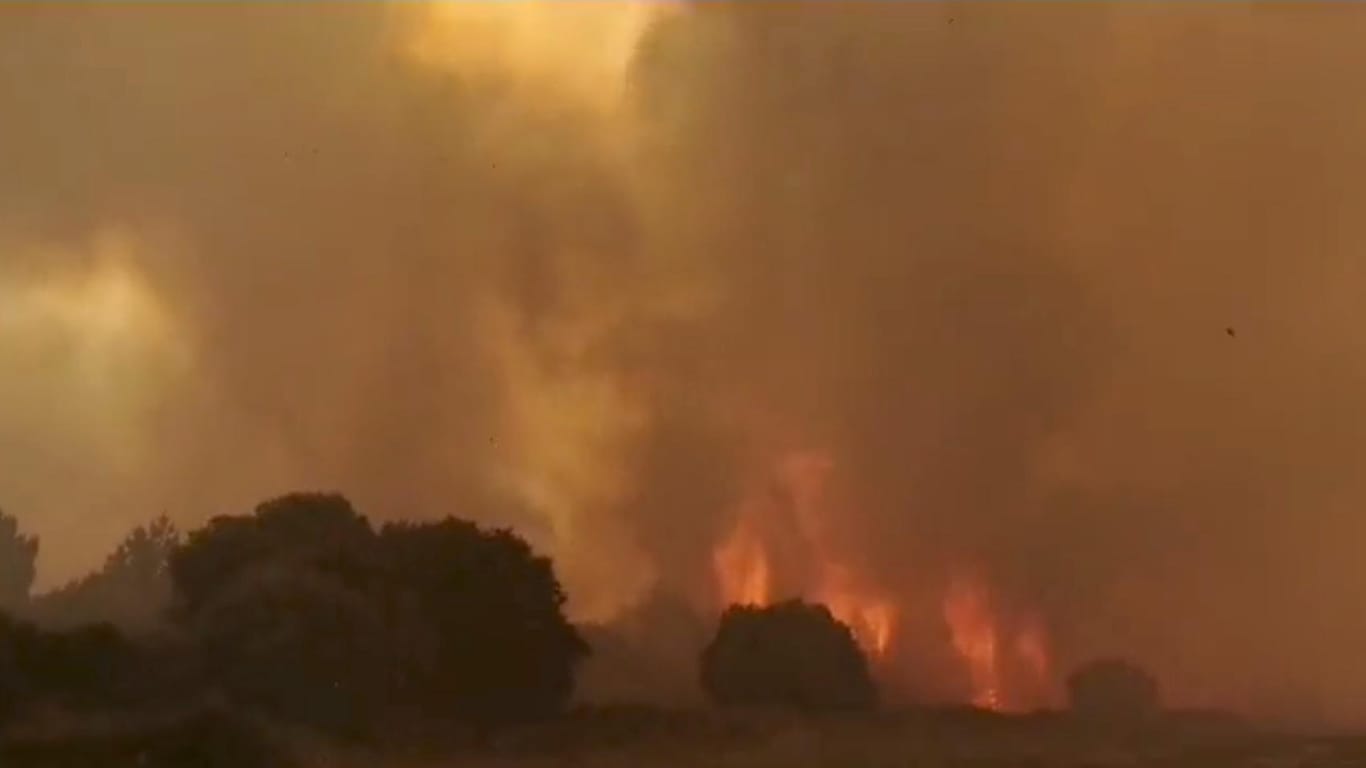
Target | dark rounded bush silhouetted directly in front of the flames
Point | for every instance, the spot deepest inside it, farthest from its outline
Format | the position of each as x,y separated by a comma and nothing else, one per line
790,657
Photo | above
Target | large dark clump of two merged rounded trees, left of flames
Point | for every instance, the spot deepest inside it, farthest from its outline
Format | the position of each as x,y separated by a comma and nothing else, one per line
304,612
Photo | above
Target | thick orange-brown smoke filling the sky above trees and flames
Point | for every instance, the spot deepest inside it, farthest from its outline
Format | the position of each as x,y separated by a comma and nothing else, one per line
1069,296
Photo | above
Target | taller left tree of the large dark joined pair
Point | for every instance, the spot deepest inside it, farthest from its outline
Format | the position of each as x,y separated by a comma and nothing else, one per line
288,612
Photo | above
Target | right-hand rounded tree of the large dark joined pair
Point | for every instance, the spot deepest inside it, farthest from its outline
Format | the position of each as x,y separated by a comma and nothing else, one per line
492,644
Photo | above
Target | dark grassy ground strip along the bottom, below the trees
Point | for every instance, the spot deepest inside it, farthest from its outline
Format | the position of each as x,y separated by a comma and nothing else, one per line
656,740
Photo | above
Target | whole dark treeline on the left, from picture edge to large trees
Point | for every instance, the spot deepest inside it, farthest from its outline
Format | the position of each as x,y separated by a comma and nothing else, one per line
301,612
